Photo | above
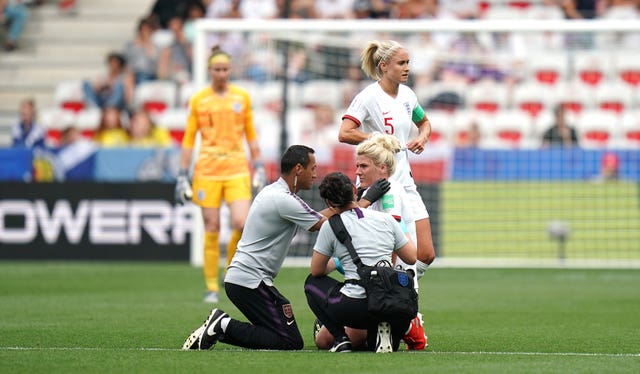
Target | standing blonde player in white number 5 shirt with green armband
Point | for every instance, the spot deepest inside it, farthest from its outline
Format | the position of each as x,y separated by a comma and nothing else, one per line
389,106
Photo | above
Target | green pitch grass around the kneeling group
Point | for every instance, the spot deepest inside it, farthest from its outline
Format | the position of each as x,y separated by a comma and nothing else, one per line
133,317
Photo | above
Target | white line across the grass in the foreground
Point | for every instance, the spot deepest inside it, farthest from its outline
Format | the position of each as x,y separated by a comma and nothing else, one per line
478,353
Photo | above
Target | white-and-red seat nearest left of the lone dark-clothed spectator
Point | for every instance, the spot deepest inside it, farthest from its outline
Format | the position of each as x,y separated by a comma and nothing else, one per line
509,129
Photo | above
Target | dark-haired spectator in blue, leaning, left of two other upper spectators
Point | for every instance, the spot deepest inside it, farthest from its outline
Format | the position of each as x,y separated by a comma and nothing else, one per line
111,90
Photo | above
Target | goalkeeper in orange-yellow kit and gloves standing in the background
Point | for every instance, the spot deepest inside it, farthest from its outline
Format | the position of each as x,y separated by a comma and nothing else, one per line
222,114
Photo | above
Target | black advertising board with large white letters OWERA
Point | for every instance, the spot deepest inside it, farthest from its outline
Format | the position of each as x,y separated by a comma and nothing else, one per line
84,221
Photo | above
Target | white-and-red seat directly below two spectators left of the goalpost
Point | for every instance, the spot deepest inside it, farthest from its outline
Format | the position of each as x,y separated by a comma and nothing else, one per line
155,96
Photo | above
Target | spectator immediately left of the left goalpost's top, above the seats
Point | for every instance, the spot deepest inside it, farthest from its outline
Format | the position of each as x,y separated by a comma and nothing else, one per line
175,59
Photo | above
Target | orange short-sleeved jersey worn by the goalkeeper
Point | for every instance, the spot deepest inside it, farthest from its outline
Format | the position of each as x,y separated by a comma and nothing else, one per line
223,122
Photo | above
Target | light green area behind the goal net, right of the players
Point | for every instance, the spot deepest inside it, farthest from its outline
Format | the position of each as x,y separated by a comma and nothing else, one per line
509,219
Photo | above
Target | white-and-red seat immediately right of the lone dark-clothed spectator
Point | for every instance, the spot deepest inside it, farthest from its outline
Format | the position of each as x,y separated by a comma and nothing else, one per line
597,129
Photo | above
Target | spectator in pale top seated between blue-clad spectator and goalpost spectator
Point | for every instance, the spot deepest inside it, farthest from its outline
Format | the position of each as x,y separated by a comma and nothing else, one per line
142,54
